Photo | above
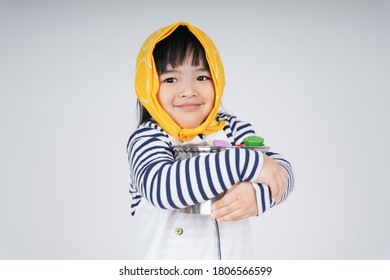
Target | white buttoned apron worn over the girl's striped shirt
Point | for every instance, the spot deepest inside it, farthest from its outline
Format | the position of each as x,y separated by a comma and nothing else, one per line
167,234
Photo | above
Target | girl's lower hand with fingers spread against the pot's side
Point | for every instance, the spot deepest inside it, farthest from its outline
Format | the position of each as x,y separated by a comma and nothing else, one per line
239,202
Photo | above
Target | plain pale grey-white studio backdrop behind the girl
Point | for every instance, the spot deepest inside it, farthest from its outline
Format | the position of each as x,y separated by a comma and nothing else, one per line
311,76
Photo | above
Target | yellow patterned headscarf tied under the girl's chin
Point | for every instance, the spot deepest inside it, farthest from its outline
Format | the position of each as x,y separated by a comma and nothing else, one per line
147,83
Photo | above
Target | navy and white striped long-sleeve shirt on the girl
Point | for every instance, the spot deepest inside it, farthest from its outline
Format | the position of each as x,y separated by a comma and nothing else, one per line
170,184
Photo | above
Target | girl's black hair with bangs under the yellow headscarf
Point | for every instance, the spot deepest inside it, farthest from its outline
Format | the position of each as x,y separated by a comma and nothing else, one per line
174,50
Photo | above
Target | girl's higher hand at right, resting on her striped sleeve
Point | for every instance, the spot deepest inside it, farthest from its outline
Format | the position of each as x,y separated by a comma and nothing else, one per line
275,176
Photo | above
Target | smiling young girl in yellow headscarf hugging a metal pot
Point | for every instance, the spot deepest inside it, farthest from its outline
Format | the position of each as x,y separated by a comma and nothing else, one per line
179,83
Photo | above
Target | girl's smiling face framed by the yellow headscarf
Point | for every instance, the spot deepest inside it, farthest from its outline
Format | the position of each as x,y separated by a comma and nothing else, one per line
186,93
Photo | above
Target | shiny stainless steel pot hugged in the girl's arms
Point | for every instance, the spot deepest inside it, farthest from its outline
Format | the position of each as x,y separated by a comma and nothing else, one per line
188,151
